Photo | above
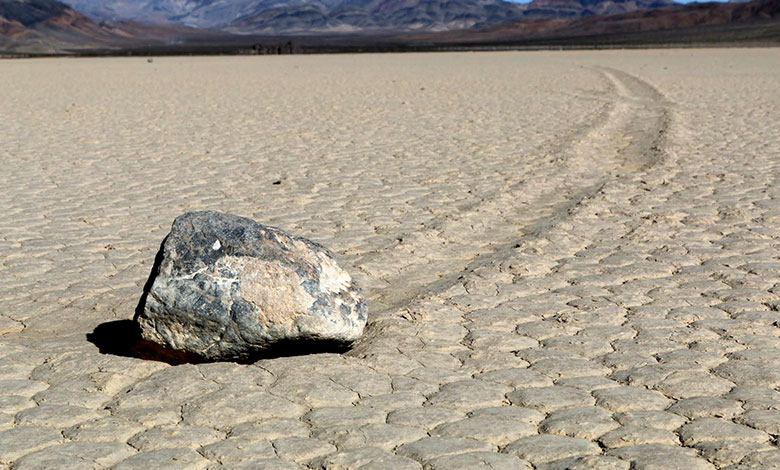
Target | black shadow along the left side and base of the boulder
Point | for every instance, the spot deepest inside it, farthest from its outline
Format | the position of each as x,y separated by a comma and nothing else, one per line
123,338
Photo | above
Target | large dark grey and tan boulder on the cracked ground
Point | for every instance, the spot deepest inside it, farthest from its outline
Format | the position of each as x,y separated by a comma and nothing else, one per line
227,288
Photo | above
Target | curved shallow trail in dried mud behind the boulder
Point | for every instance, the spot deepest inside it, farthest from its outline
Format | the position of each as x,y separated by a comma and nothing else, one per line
627,139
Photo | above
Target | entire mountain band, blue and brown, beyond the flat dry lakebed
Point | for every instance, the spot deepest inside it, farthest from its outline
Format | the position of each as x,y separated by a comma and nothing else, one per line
166,26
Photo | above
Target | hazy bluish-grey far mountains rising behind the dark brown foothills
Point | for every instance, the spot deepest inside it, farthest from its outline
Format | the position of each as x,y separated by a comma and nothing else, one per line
318,16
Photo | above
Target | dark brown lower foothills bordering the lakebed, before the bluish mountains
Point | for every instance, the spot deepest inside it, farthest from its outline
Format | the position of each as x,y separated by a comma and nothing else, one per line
50,27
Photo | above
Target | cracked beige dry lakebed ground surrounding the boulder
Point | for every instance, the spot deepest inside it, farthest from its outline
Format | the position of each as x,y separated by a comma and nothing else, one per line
572,259
